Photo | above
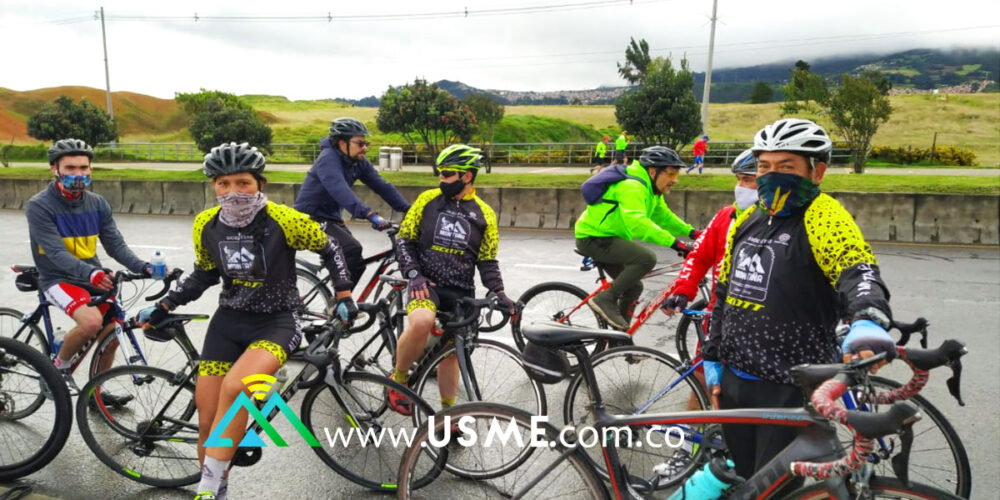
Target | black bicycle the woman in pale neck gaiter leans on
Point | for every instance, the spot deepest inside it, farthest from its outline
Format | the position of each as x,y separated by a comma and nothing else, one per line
155,443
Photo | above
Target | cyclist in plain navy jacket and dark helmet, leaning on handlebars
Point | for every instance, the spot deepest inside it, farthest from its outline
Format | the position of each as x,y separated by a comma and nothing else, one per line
327,188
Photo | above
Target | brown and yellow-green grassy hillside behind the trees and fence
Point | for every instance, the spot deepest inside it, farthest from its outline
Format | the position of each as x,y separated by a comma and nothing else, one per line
966,120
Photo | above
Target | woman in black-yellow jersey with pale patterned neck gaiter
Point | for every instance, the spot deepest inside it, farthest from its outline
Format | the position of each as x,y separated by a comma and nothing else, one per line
250,243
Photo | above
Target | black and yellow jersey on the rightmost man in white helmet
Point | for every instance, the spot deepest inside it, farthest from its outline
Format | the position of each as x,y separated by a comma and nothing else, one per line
783,285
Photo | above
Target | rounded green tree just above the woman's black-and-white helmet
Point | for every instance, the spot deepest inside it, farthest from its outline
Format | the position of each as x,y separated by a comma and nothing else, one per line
218,117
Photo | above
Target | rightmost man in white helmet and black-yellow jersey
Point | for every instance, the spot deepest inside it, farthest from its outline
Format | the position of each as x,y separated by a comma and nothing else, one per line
795,264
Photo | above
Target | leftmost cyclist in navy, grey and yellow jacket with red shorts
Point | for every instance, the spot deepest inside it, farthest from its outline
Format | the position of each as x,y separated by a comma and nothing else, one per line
65,221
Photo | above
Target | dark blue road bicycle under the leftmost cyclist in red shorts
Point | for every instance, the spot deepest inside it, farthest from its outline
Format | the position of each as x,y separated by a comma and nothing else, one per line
133,348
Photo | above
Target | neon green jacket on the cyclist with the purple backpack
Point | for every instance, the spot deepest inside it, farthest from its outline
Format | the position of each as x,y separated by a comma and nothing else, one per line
632,212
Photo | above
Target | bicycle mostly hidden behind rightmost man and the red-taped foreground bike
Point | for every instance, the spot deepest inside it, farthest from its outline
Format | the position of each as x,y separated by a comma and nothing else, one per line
663,390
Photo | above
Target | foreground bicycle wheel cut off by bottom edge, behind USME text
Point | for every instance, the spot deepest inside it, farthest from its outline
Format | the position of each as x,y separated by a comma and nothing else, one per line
560,469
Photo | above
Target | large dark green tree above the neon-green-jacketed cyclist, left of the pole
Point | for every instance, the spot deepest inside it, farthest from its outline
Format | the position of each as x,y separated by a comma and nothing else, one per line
663,110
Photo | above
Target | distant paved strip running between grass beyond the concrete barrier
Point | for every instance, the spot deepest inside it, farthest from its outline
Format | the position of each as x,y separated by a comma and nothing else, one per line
552,169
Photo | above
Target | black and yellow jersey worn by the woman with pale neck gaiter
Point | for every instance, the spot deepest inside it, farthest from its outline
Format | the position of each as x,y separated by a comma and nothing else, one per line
257,262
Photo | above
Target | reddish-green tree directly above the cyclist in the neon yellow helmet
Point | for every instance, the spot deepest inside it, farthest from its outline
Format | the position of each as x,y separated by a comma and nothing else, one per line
431,113
